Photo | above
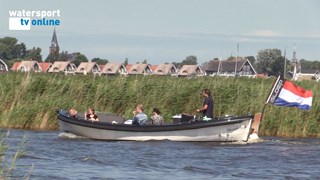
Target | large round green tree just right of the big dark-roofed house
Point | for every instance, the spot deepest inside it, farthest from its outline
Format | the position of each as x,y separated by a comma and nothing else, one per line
267,61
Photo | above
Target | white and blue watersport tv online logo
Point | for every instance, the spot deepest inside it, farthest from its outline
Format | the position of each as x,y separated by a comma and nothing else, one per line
23,20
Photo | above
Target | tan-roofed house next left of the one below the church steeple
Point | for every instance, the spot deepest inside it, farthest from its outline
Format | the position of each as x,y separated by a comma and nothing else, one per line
26,66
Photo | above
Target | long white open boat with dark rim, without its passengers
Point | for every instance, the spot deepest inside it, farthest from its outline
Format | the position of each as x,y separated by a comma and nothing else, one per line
223,129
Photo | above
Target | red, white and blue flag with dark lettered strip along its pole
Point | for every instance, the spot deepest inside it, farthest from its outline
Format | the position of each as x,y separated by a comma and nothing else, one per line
285,93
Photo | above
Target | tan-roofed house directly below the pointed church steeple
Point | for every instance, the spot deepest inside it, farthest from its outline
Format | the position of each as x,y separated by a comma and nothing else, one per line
62,66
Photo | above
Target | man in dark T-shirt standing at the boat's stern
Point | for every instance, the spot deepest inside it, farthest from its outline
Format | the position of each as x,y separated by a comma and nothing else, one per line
208,105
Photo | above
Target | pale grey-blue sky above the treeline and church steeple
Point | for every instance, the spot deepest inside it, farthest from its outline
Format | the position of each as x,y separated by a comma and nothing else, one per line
170,30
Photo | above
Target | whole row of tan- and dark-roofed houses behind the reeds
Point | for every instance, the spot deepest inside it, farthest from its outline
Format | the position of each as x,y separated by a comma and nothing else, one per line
224,68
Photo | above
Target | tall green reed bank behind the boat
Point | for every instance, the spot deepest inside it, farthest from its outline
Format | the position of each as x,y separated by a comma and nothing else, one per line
31,100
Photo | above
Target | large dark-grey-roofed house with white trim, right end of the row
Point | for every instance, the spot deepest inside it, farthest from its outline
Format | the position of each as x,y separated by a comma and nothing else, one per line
241,67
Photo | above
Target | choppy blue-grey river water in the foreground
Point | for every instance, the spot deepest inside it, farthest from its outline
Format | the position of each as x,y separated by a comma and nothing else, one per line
56,155
